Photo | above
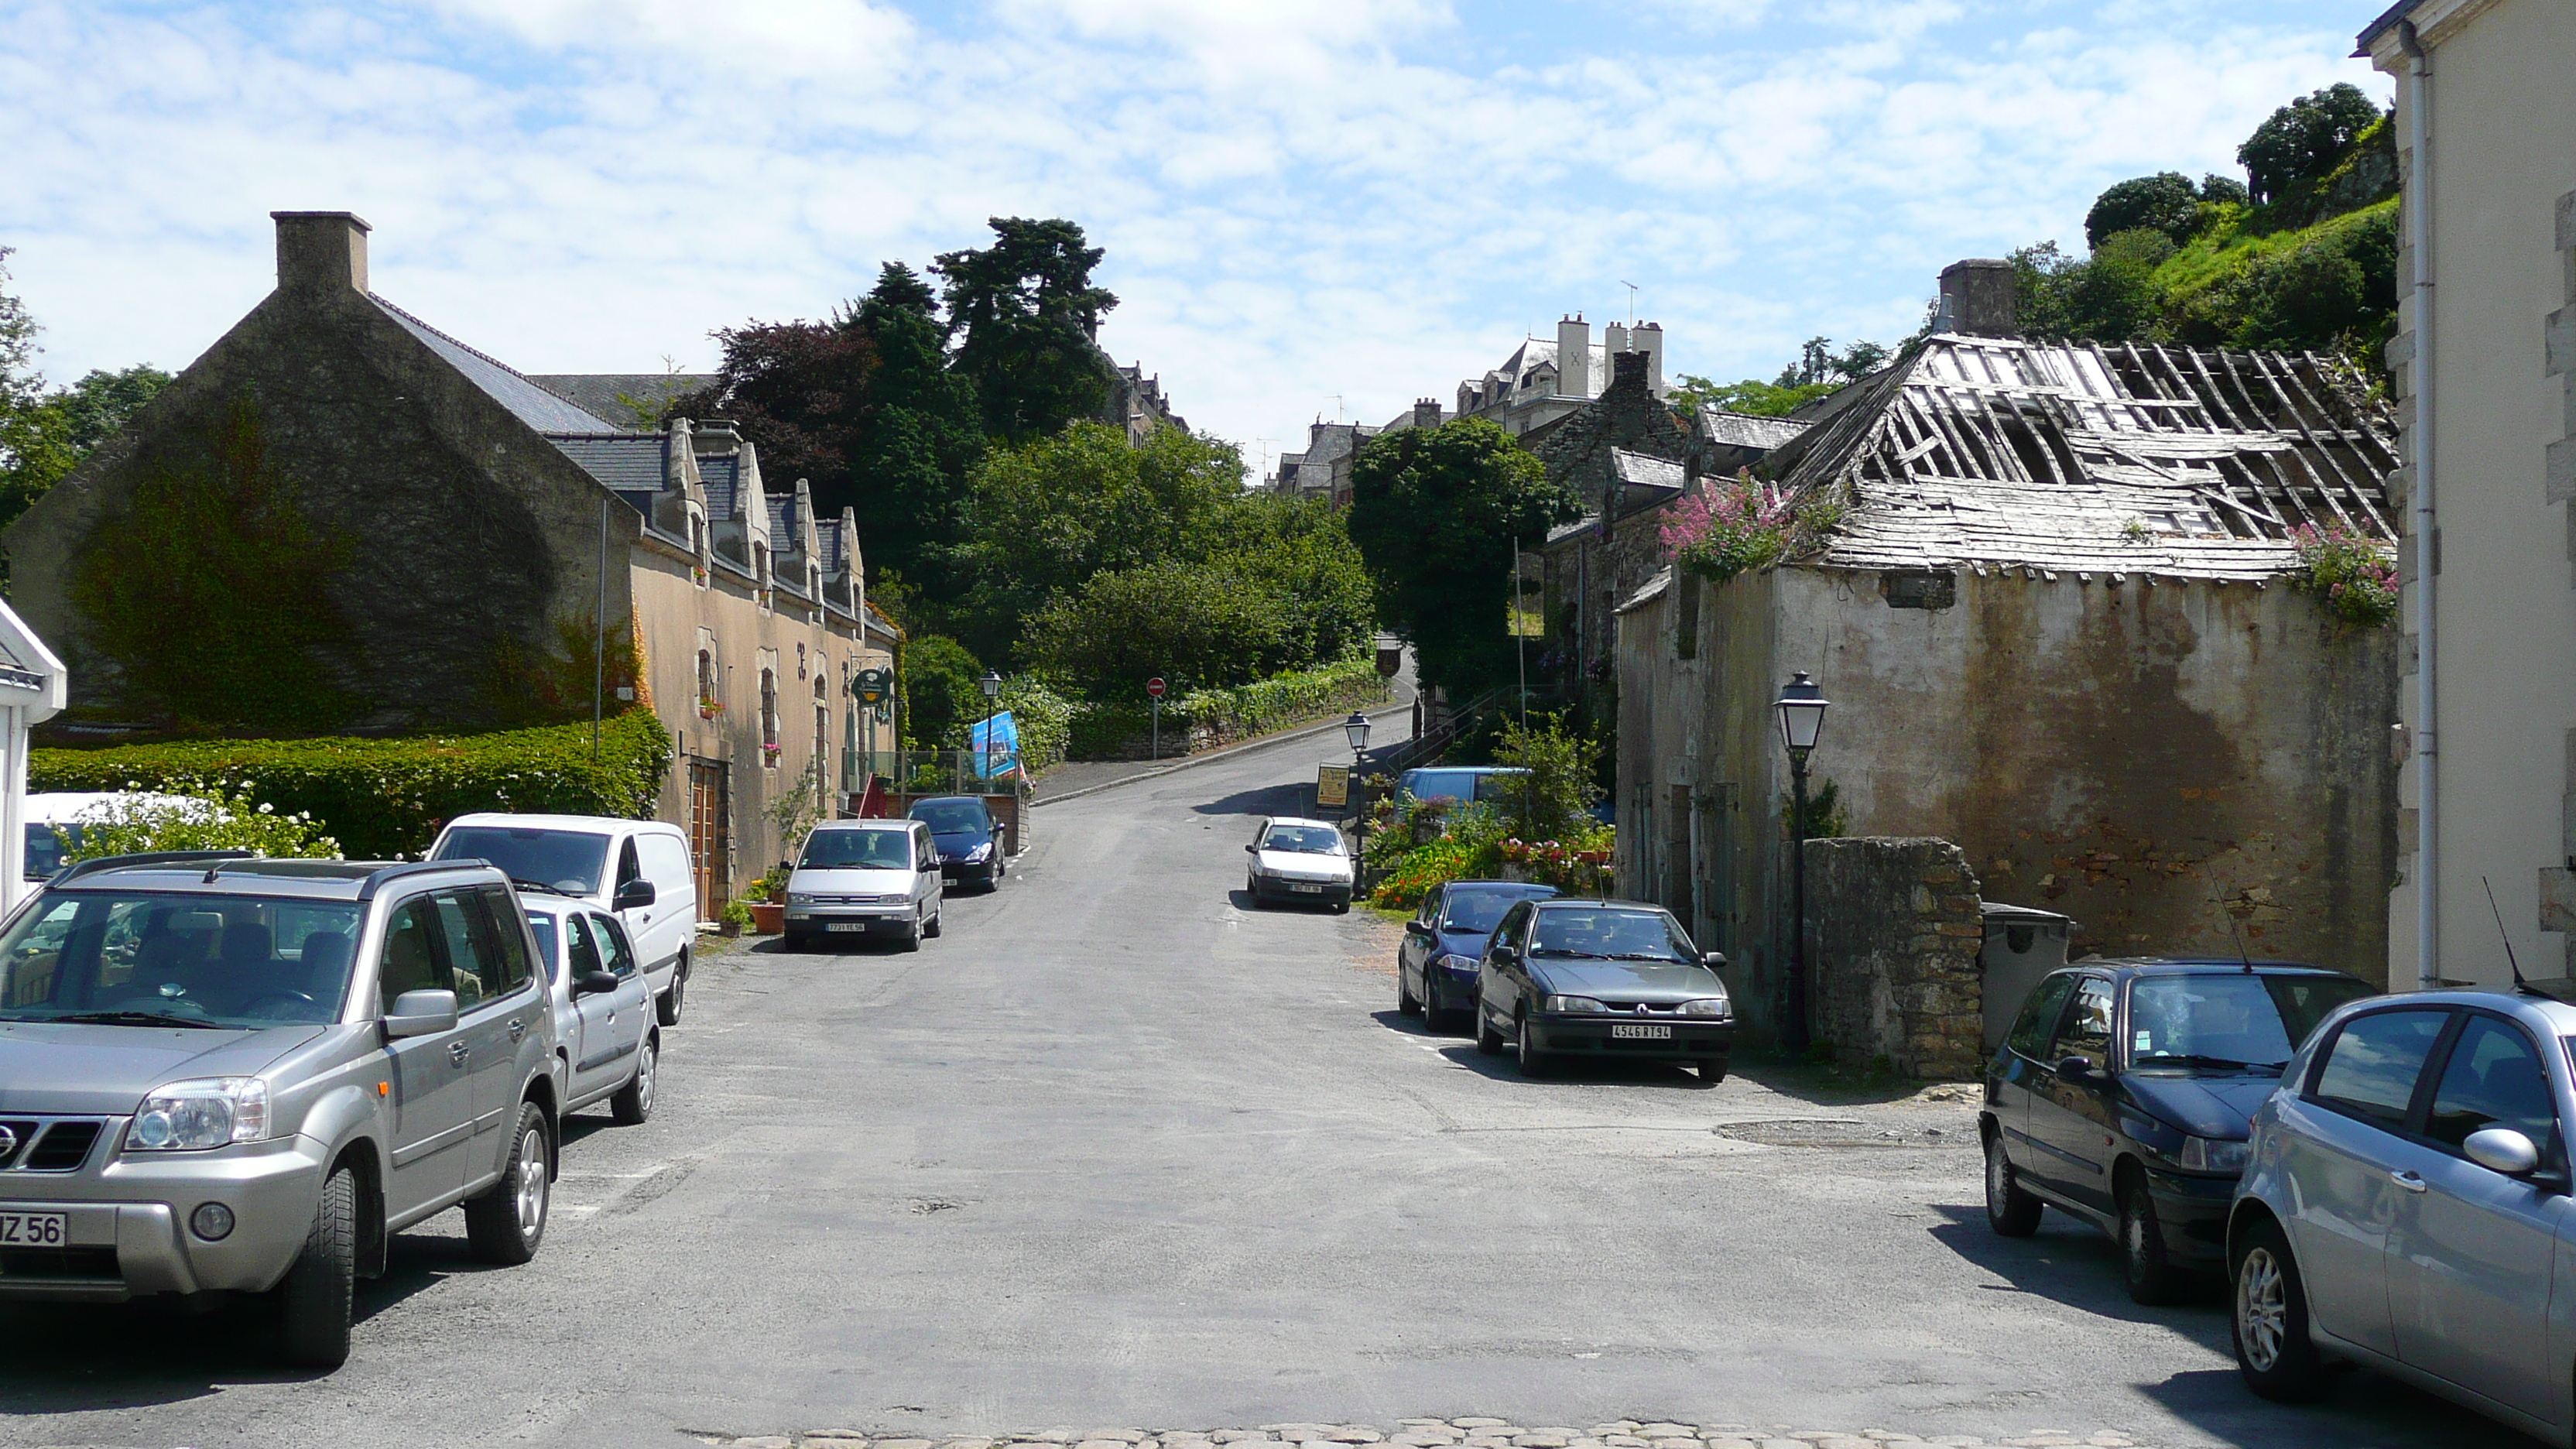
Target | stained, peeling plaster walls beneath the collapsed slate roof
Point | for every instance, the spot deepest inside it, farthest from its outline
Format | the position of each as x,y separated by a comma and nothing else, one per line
2142,759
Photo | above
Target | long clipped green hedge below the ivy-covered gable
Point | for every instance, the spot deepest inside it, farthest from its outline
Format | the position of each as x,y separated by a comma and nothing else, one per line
388,798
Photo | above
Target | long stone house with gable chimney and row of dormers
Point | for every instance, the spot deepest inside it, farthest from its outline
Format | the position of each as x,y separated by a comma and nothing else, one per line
341,520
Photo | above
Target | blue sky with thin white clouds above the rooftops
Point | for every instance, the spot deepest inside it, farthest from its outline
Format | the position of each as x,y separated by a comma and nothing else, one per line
1302,200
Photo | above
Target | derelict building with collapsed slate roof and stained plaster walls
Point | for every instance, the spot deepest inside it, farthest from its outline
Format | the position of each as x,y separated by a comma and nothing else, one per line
2060,628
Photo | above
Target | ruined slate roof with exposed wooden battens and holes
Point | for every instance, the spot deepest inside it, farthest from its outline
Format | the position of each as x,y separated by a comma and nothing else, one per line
1993,452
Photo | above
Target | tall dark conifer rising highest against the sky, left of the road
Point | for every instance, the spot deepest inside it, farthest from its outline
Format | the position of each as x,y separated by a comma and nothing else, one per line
1024,318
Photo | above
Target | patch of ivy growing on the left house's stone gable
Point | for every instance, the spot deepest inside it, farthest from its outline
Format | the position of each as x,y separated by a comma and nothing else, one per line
213,592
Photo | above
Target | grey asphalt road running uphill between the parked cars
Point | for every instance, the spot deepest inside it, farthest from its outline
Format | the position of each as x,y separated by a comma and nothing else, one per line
1122,1151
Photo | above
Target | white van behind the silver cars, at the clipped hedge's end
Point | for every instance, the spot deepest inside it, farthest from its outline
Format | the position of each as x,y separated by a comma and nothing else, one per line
638,870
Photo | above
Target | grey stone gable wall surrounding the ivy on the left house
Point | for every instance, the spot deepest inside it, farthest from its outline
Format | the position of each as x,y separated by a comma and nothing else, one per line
468,527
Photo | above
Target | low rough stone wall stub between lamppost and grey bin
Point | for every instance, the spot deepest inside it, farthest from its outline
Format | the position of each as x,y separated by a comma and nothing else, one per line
1895,940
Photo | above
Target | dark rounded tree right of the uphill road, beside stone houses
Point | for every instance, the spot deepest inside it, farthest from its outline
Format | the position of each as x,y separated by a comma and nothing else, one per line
1436,512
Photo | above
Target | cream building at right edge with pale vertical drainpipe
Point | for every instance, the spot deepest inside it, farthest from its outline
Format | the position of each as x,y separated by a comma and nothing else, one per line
2487,396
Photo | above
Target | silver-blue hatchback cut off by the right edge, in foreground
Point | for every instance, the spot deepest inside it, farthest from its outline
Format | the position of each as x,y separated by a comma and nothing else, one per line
2407,1208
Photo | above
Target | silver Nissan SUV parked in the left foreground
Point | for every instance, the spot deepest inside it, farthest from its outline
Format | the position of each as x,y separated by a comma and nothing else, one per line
238,1074
